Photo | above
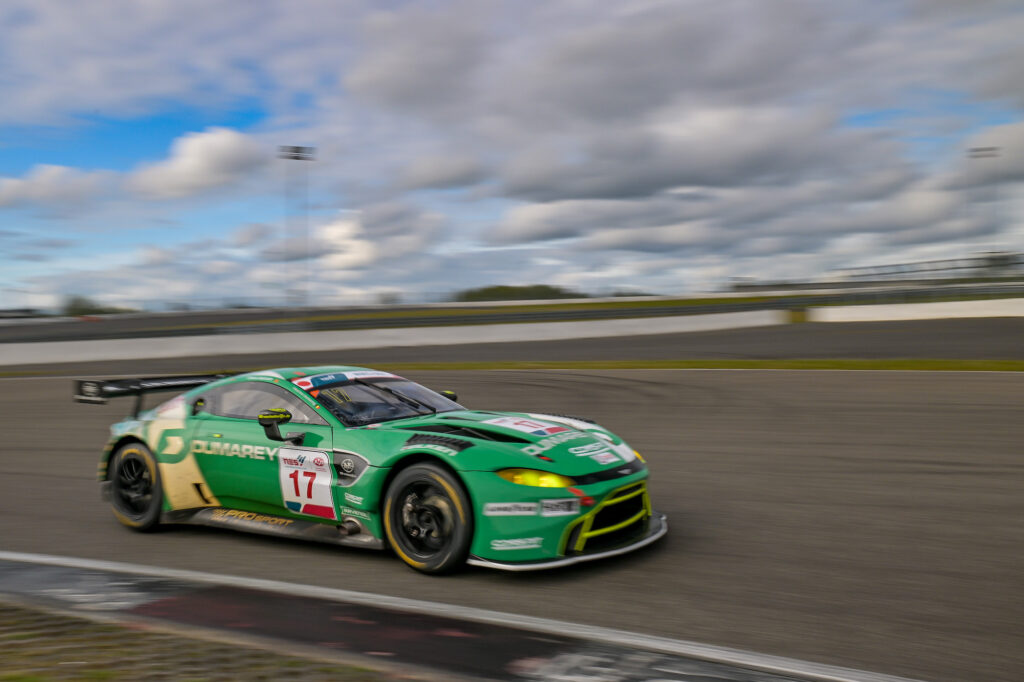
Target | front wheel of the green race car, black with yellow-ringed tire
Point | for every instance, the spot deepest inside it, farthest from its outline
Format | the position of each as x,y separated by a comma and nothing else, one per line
429,520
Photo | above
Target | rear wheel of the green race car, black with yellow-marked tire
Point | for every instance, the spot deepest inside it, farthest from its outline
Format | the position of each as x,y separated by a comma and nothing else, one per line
137,493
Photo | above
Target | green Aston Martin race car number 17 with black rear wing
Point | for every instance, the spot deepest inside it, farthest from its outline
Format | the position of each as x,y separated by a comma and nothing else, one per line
363,458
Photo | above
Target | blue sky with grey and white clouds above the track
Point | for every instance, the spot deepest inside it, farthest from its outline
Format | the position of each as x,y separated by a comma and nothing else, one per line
635,145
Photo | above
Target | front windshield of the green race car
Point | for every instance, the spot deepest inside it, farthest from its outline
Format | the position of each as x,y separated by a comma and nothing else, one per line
362,402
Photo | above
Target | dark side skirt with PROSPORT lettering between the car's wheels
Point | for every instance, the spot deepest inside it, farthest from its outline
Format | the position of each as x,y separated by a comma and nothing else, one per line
269,525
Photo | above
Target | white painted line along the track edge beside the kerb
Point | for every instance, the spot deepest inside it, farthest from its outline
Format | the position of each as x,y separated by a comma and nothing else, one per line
762,662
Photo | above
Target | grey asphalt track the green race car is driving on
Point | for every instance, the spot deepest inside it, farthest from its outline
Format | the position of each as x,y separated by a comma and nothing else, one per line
866,520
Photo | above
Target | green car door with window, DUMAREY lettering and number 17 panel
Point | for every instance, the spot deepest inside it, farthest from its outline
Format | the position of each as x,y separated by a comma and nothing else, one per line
245,470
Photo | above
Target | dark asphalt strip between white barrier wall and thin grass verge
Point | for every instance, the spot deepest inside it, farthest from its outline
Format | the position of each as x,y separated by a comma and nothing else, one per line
1000,338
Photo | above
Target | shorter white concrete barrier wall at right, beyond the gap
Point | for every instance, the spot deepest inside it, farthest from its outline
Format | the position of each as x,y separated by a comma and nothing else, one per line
1004,308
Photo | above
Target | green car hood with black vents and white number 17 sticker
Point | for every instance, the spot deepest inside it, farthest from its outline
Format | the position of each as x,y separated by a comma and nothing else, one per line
568,446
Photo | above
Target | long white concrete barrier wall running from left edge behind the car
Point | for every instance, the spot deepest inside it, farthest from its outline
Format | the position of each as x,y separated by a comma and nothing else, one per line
77,352
